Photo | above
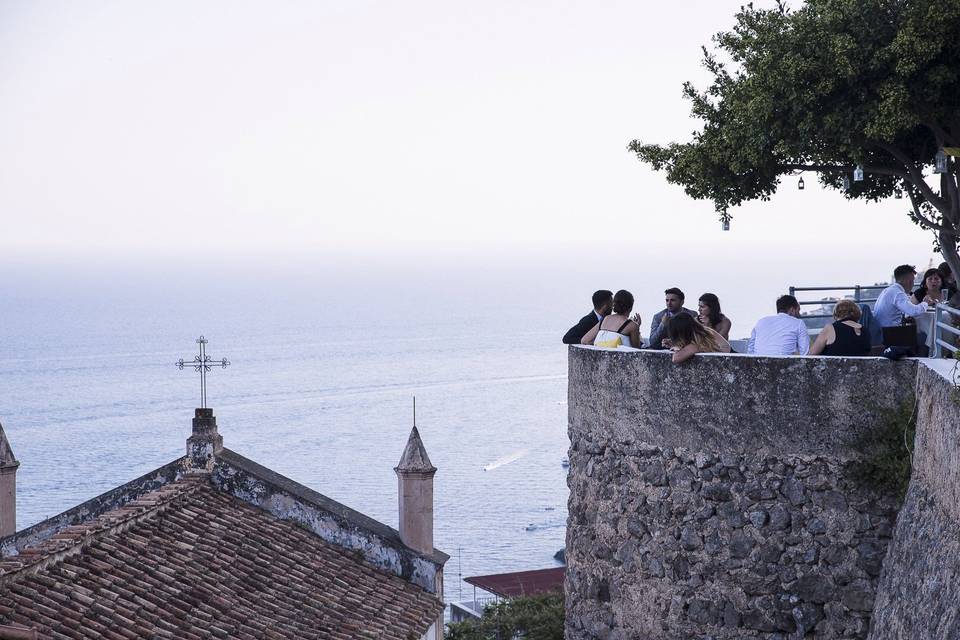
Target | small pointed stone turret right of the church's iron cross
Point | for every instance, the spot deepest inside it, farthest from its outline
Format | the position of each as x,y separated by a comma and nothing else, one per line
415,476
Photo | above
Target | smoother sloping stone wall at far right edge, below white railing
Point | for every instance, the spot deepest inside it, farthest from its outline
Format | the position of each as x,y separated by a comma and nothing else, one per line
919,594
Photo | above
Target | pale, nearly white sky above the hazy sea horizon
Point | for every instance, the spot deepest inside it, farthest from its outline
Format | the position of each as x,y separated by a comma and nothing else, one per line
436,129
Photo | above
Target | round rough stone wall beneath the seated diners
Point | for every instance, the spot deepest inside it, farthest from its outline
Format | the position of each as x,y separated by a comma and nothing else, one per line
715,499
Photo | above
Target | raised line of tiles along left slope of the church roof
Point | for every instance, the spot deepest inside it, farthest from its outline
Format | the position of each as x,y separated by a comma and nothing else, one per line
72,539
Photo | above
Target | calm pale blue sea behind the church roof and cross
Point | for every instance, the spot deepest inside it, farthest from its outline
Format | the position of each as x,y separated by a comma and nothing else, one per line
319,389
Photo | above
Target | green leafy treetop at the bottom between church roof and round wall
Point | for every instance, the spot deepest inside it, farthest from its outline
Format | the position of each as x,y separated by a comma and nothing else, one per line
537,617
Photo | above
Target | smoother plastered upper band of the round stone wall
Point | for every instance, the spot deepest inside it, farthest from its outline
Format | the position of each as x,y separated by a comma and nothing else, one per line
804,405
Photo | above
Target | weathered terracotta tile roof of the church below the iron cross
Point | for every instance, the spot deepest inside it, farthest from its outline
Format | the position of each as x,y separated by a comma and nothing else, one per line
189,561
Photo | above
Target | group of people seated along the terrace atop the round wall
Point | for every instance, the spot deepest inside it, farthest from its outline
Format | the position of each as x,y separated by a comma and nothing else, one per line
855,329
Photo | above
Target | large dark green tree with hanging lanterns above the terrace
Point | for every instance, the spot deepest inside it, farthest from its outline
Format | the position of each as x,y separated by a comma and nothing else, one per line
828,87
